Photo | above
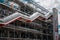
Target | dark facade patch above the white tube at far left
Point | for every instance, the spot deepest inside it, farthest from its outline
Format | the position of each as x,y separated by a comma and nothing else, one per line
5,11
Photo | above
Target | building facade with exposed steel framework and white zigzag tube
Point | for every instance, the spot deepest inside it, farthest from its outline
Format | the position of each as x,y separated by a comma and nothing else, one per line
21,21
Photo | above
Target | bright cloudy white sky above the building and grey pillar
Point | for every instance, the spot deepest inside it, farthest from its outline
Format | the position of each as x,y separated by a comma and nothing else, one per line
49,3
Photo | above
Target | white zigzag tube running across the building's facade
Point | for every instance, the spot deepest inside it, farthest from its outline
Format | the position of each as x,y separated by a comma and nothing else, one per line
32,17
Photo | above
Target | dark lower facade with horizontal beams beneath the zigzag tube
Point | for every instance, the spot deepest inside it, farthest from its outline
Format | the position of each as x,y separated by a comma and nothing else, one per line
19,30
